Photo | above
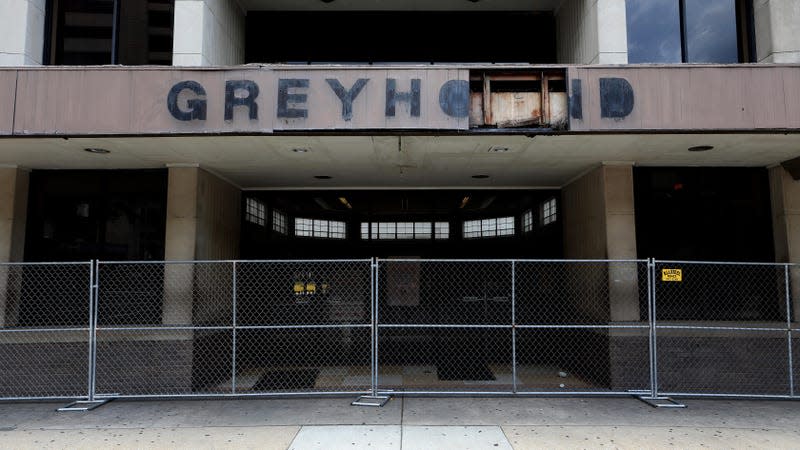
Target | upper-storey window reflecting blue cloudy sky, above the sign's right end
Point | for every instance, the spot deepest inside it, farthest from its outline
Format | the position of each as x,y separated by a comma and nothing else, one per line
692,31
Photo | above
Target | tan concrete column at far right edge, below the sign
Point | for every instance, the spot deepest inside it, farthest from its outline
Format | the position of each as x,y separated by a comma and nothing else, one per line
785,197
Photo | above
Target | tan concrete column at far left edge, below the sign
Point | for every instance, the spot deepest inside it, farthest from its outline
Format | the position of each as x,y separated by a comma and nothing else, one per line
13,214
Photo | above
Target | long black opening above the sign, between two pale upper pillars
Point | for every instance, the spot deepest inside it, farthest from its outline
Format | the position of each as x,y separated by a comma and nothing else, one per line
399,36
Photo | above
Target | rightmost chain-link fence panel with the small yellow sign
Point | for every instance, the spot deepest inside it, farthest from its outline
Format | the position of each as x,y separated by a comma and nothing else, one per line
722,329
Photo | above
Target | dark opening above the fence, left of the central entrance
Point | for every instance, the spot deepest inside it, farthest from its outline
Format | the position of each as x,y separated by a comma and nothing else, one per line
78,215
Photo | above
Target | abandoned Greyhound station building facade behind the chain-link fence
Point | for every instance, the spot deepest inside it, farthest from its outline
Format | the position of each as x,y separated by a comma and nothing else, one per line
184,130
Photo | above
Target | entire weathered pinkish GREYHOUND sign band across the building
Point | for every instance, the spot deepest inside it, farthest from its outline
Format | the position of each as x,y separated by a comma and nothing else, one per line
130,101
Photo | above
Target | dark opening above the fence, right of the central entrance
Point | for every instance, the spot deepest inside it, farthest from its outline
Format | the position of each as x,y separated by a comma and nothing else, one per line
703,214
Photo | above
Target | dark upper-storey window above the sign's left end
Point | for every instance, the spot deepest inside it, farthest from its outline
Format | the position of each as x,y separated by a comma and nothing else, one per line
95,32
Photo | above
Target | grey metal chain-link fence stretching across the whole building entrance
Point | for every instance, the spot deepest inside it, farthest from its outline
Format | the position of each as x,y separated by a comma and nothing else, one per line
656,329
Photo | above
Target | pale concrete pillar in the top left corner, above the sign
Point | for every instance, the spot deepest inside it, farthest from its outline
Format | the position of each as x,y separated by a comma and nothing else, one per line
21,32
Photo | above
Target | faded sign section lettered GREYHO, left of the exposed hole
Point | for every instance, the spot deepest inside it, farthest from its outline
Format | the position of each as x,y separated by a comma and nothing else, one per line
250,100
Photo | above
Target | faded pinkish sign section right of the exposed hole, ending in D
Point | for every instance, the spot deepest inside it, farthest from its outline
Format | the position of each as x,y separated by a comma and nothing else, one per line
640,98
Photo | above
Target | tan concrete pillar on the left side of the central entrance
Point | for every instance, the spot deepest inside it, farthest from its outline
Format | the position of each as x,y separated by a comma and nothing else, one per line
202,224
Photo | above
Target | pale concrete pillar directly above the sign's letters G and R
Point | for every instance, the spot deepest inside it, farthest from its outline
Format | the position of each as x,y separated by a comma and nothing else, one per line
208,33
